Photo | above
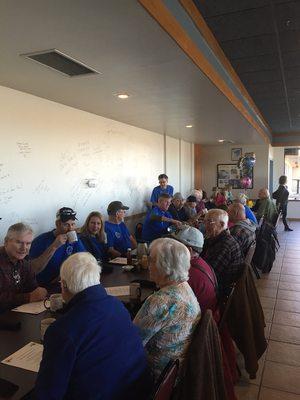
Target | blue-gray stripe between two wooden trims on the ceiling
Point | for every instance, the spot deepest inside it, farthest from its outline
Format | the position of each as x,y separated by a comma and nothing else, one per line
187,23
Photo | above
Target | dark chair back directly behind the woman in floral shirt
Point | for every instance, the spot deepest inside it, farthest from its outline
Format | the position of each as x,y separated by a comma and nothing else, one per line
166,381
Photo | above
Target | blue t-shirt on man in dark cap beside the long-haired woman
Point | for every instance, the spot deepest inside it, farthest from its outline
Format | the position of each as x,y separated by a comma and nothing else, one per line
118,236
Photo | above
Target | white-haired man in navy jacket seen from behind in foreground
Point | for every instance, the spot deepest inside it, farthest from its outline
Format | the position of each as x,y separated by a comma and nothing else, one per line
93,351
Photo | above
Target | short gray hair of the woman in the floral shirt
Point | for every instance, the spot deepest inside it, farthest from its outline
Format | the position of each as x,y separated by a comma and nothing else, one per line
172,259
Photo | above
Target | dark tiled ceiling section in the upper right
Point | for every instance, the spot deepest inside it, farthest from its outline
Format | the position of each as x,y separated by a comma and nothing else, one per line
261,39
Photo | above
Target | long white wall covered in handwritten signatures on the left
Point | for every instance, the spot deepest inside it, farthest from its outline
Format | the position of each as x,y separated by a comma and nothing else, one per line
49,150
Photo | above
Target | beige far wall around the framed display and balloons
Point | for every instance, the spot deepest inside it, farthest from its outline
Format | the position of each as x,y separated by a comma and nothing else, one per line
221,154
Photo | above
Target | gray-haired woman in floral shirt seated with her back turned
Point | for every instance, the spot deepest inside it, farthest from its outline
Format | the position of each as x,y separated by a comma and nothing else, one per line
167,318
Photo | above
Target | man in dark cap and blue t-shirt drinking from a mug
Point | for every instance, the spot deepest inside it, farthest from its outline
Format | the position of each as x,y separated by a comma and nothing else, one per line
49,250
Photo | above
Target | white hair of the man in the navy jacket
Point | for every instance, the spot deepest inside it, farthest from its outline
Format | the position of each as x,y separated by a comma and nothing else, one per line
80,271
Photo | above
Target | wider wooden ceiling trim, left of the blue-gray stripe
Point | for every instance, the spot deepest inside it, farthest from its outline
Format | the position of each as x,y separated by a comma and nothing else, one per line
169,23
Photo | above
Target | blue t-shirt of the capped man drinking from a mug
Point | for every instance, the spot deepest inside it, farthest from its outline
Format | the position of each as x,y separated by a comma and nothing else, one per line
51,270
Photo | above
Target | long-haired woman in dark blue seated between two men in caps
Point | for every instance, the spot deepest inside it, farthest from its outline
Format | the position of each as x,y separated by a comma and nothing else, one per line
93,237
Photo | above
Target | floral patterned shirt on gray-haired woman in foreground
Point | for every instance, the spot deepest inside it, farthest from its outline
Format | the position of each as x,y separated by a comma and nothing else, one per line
166,321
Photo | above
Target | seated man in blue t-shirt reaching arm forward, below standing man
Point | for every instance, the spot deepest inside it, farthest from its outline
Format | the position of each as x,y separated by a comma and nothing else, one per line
158,220
